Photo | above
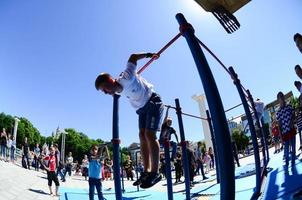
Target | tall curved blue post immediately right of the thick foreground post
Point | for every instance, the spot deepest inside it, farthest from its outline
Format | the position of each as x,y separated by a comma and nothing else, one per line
252,130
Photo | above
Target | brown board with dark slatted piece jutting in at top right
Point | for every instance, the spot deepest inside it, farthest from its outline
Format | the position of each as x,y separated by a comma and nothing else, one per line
223,11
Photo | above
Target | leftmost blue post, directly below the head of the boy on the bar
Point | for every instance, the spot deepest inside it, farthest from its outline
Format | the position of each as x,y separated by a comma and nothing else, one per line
116,147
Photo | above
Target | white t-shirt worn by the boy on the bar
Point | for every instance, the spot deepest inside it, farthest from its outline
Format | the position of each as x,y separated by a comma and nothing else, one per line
135,88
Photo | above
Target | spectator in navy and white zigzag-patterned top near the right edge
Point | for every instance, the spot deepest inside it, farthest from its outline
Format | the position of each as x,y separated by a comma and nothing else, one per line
285,116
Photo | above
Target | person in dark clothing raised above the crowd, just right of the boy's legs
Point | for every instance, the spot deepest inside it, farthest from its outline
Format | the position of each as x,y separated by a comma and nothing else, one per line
166,132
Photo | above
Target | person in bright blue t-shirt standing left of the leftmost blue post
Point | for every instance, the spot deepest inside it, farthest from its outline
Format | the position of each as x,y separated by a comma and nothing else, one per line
95,165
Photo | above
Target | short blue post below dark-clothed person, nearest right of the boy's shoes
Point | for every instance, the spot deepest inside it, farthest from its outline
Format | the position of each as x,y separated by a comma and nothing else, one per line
168,169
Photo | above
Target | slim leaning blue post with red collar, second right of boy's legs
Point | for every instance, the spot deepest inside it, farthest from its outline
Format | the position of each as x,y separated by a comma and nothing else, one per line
184,149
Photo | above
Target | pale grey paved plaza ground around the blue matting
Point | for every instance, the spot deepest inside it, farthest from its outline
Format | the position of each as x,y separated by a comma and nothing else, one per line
19,183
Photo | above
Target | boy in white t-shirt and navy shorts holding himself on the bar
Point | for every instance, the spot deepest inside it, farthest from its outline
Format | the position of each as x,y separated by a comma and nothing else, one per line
149,108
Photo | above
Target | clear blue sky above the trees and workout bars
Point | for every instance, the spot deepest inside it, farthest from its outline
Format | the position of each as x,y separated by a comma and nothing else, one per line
52,50
